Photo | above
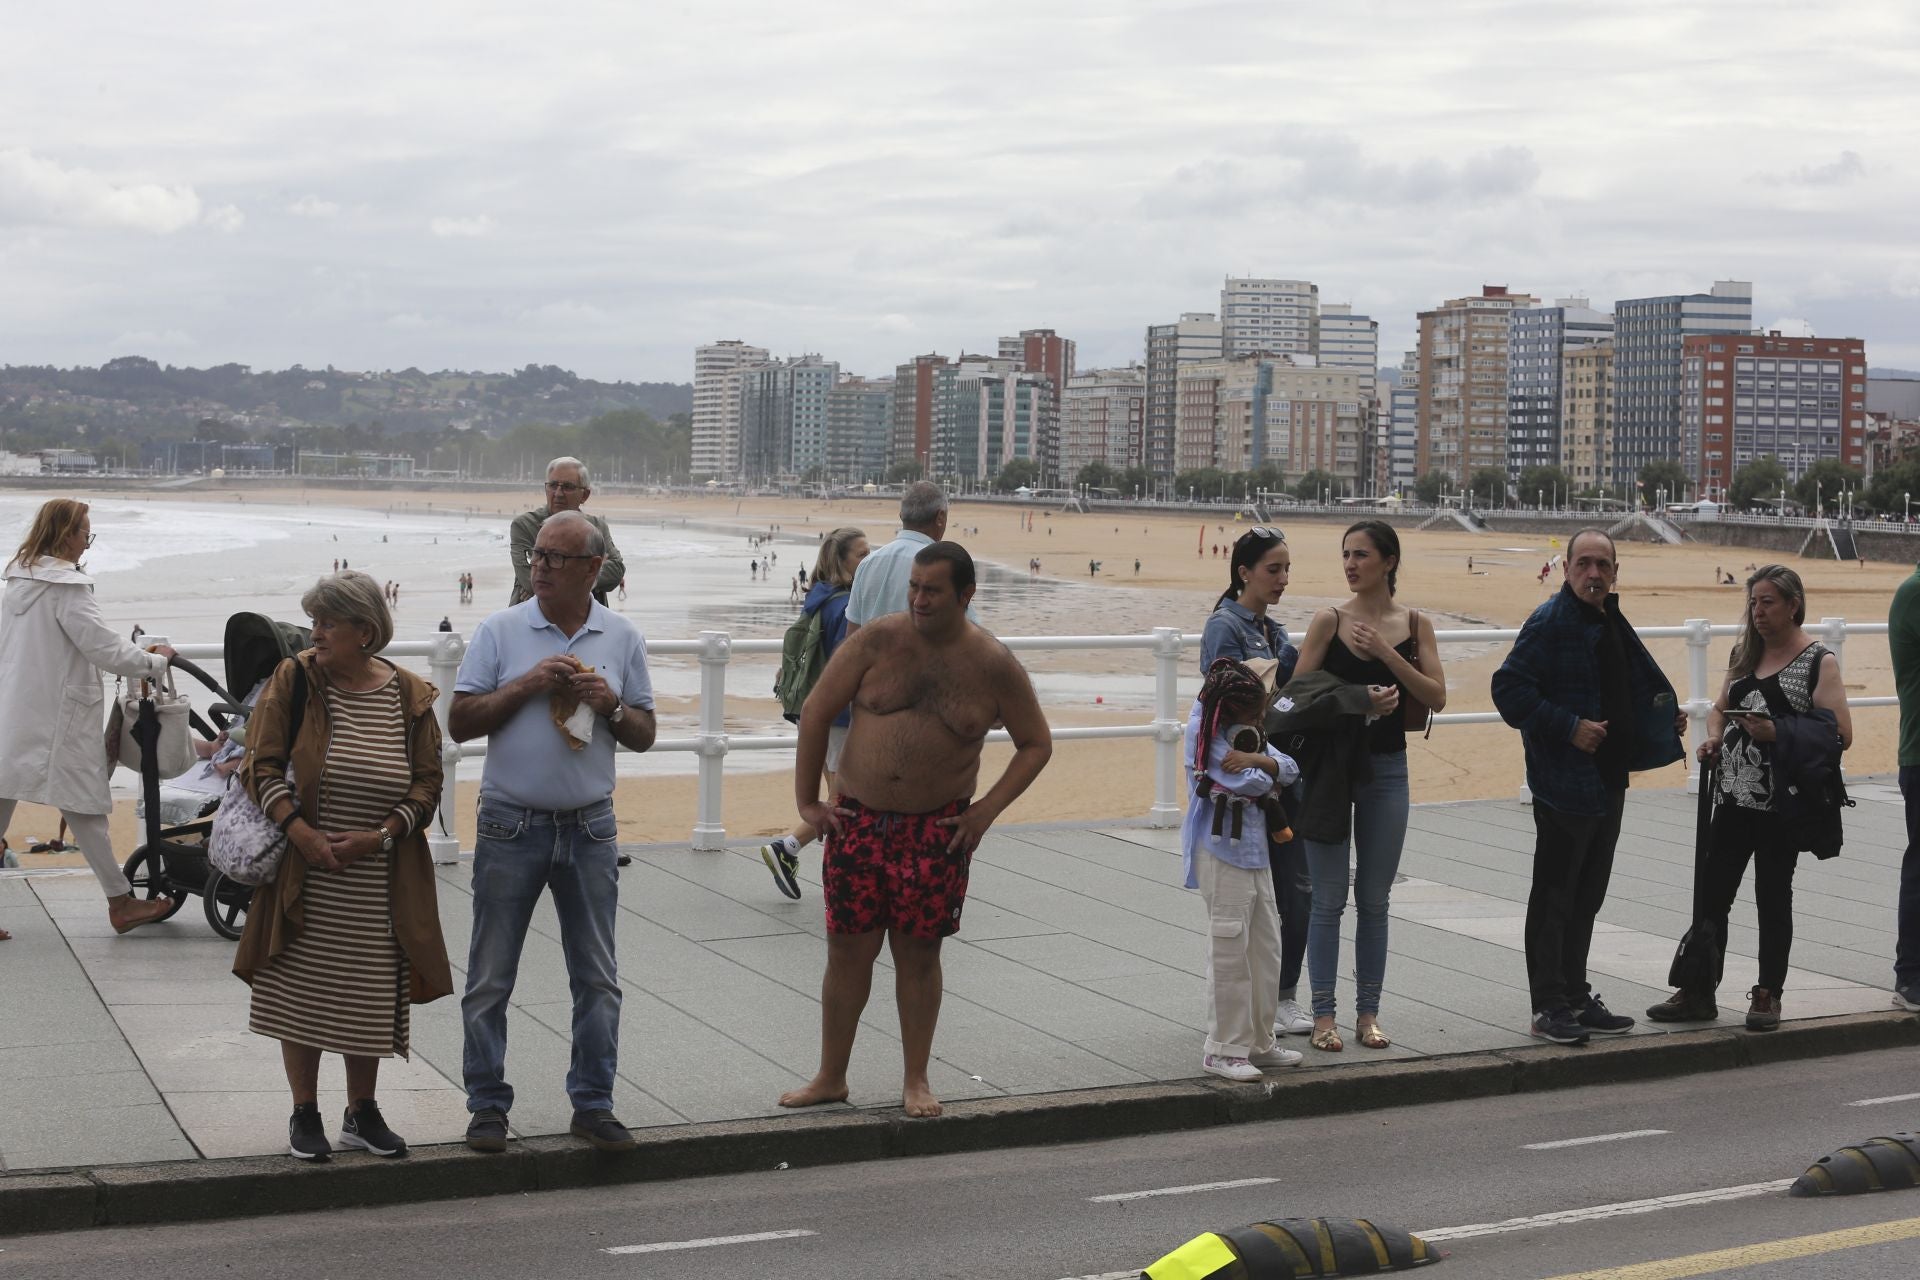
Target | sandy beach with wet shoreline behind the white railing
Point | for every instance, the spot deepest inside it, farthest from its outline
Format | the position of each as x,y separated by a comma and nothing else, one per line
688,571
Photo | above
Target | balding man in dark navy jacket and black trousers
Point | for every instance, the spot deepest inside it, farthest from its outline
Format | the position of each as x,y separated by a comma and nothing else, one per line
1593,707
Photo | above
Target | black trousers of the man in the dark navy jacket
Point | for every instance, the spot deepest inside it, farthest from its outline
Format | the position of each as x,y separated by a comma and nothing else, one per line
1573,865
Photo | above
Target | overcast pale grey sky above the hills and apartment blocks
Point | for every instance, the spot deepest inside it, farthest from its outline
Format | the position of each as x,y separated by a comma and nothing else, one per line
606,185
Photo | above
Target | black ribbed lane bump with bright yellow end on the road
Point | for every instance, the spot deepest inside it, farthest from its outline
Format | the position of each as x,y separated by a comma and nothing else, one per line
1291,1250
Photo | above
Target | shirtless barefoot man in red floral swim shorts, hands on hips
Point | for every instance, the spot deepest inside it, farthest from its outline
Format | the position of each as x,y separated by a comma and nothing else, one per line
924,686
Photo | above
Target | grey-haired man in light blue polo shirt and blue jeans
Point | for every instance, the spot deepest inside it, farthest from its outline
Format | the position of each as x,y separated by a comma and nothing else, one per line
546,817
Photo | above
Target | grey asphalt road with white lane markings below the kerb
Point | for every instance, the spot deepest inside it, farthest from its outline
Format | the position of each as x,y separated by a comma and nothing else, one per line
1458,1172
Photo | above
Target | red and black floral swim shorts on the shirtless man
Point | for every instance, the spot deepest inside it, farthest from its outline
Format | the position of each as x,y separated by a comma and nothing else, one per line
894,872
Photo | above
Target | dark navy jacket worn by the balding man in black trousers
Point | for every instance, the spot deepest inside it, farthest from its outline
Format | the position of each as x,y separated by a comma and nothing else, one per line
1550,682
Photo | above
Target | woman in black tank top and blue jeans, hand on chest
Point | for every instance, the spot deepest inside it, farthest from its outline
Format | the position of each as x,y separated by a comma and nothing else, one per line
1376,642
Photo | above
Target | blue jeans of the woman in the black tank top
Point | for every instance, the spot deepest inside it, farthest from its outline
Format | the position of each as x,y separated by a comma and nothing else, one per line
1380,834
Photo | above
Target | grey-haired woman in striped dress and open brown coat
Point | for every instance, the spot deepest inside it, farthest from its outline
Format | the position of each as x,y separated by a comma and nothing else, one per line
347,937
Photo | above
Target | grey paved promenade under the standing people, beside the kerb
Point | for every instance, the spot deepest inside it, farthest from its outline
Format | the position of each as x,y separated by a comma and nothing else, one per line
1078,968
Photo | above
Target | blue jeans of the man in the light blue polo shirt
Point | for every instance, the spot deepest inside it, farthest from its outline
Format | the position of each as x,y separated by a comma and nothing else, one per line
573,855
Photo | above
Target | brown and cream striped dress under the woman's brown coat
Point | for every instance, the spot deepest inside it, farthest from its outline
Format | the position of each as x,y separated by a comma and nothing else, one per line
343,984
